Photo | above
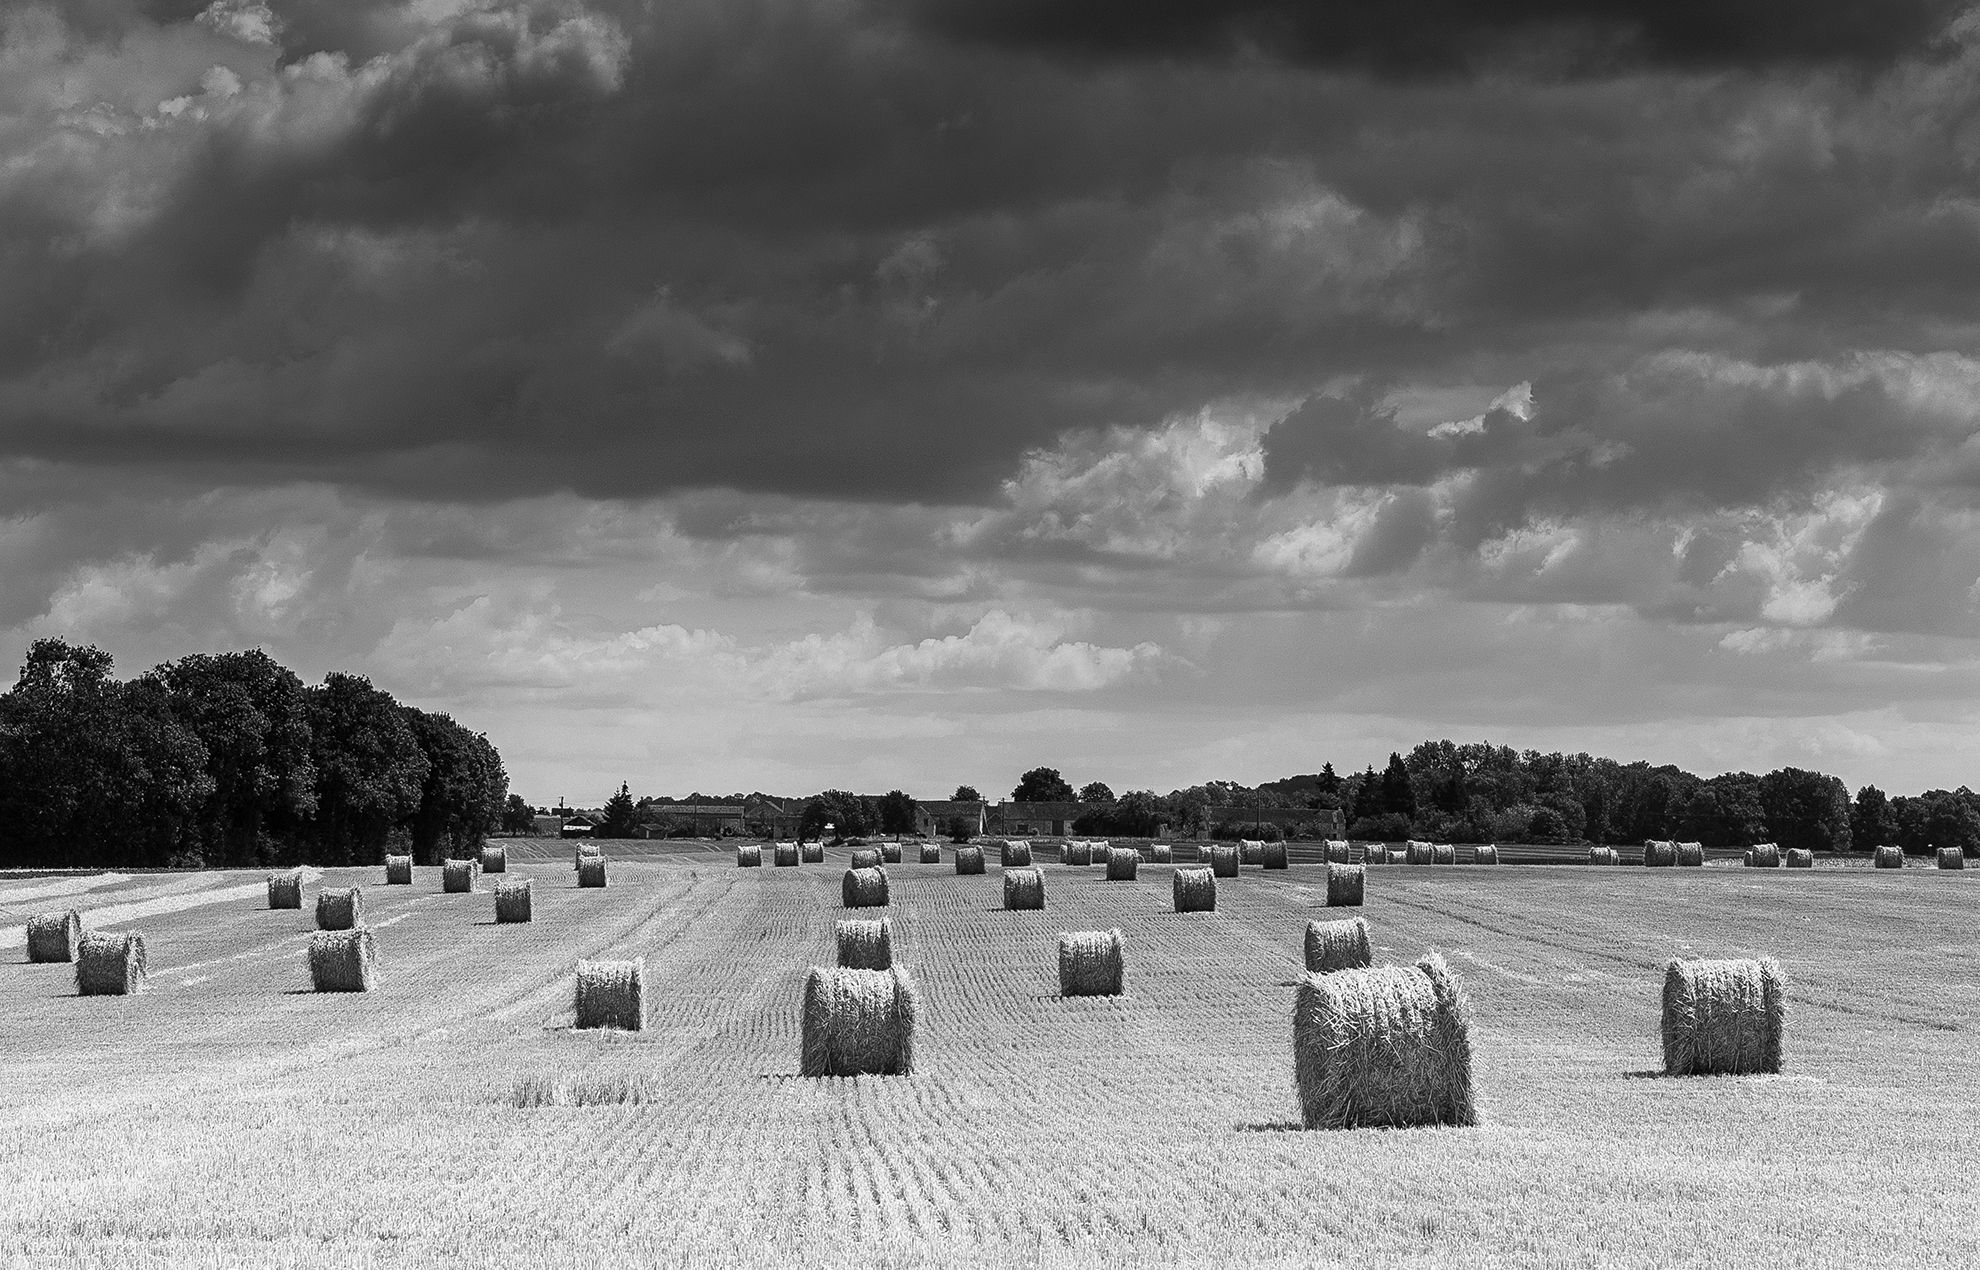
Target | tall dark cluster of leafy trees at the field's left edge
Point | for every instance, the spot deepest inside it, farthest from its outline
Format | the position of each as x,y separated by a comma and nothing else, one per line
229,760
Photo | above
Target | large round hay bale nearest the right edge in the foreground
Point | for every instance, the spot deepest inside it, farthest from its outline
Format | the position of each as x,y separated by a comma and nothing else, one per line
1724,1017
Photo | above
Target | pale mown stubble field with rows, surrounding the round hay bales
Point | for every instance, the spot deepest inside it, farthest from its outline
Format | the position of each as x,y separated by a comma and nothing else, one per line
233,1118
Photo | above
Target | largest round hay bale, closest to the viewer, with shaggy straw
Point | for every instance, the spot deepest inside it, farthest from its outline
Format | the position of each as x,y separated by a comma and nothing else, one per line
1383,1047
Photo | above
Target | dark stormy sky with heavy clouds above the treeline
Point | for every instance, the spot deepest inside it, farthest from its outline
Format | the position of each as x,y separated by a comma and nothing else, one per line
724,395
